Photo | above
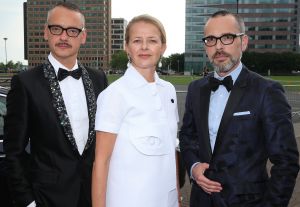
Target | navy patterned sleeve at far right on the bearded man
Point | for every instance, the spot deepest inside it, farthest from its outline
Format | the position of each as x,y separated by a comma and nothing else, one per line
281,146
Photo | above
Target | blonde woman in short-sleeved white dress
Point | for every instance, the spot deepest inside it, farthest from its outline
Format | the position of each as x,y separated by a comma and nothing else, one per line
136,124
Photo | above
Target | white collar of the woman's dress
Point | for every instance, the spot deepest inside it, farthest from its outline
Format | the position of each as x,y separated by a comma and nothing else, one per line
136,80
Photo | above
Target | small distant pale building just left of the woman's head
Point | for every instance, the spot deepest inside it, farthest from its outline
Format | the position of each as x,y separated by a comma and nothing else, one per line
118,26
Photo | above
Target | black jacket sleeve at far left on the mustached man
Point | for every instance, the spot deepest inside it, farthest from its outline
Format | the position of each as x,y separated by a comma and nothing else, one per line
15,142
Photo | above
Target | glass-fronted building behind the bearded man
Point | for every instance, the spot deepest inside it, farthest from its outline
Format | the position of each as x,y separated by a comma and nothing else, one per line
272,26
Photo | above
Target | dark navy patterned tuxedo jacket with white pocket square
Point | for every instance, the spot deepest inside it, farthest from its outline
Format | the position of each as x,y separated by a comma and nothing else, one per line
256,126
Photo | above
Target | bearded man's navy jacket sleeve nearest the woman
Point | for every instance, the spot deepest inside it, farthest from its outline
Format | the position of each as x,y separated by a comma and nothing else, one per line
189,146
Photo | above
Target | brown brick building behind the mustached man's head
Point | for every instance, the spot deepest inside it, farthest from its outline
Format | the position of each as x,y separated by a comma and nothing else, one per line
95,53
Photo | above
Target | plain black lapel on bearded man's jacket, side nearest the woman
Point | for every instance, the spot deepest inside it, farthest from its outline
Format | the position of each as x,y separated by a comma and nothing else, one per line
203,108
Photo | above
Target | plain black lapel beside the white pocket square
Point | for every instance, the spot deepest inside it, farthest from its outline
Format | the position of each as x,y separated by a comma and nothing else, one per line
237,92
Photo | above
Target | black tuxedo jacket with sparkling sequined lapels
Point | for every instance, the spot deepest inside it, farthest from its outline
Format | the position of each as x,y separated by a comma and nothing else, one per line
57,175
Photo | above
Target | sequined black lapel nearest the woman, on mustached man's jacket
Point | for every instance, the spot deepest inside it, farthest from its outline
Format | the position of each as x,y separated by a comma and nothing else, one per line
91,105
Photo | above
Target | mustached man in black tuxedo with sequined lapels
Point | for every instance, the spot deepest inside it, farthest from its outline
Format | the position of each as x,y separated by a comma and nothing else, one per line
54,106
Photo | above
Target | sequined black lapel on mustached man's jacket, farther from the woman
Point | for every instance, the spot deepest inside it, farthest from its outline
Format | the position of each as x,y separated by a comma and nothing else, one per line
58,103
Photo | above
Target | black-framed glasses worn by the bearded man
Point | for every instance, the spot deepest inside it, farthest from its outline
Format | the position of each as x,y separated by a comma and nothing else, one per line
226,39
